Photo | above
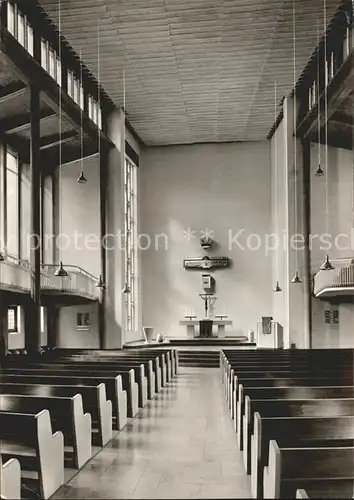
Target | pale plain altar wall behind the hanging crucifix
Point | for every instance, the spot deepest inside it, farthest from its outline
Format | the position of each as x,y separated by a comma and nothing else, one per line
223,187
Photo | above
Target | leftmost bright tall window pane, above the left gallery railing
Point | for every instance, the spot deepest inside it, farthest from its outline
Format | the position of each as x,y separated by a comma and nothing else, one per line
12,203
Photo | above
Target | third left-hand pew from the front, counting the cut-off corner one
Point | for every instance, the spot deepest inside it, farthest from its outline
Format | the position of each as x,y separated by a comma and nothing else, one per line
66,415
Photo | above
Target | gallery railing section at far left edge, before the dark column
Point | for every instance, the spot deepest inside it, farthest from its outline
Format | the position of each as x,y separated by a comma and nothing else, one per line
15,274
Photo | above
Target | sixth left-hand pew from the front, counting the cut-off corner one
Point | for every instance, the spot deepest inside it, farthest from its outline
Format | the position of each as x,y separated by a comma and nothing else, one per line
127,379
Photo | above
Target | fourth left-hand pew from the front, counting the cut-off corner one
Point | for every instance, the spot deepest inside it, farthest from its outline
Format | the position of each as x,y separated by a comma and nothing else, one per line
94,402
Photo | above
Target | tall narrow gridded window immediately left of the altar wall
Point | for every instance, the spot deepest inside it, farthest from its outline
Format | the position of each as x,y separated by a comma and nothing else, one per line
131,235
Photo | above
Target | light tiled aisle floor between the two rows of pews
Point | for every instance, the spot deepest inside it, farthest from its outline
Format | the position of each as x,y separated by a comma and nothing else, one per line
182,445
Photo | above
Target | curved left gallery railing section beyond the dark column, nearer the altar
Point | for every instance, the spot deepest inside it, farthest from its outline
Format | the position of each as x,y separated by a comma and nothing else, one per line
77,282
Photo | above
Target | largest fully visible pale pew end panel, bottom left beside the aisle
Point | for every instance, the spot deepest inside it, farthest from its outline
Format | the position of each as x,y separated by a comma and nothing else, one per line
51,455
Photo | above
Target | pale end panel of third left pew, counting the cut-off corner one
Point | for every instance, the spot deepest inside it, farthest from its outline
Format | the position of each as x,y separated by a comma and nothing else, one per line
83,430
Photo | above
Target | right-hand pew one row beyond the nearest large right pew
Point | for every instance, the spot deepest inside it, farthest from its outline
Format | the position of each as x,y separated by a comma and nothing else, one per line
319,432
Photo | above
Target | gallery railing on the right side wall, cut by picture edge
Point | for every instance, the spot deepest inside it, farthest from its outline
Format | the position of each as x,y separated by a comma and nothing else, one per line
335,282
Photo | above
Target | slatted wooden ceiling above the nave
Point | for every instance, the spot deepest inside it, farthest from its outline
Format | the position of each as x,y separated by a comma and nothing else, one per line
196,70
